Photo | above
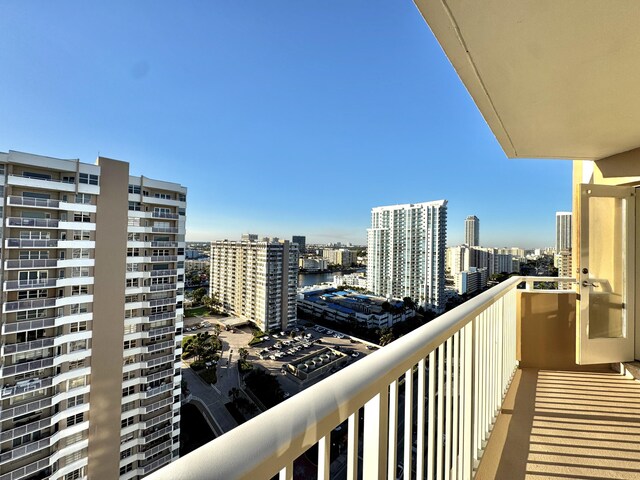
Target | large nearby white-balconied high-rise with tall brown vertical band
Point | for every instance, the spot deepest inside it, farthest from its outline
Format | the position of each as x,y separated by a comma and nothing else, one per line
92,271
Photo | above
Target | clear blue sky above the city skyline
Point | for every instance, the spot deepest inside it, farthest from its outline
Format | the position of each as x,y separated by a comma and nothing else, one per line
281,117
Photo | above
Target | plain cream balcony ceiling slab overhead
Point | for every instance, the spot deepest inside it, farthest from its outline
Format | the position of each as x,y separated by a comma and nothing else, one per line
552,78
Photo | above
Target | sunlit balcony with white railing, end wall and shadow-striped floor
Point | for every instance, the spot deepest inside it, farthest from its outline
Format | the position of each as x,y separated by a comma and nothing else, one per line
442,389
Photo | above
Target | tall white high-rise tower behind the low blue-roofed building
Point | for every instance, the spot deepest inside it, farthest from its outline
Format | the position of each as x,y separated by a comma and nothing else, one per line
406,249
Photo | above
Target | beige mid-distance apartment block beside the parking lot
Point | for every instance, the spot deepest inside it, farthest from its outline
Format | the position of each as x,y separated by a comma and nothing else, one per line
256,281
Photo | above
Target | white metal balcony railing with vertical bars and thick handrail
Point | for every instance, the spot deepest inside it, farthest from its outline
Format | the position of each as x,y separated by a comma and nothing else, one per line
429,401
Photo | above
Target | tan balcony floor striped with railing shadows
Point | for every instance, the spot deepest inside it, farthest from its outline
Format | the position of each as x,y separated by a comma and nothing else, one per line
566,425
